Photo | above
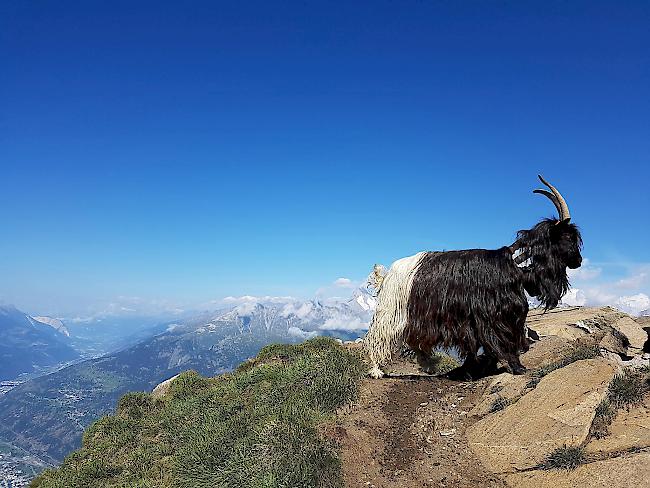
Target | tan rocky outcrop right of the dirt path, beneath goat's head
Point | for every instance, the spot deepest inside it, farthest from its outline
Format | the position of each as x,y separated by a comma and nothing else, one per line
521,424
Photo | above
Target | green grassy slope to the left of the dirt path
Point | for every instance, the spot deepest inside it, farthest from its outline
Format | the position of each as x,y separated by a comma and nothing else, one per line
256,427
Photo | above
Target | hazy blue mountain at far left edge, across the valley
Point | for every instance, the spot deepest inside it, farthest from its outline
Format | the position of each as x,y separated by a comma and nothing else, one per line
28,345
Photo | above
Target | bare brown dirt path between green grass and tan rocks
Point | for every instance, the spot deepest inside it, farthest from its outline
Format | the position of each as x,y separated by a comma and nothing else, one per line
423,445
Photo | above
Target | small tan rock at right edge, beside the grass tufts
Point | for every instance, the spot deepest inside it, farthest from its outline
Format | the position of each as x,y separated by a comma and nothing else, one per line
630,429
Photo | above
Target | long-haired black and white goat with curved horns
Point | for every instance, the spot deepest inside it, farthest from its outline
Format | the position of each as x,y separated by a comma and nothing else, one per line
474,298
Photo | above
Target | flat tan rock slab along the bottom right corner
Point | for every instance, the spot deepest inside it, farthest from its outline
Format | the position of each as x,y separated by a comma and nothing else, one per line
619,472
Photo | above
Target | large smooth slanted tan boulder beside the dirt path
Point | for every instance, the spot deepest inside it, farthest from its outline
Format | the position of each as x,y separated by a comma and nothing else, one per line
558,412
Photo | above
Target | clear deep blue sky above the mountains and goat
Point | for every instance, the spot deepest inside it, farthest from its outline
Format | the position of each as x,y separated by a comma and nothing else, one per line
178,152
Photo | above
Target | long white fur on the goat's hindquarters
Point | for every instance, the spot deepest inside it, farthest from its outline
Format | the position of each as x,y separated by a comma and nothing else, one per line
390,319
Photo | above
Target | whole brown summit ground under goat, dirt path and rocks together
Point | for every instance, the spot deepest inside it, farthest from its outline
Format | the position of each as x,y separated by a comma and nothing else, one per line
580,416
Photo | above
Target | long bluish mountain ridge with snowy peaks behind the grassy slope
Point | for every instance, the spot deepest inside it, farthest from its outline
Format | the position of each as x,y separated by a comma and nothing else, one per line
46,416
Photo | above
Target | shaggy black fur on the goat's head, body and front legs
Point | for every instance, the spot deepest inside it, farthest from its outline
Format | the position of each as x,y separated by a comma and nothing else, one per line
475,298
